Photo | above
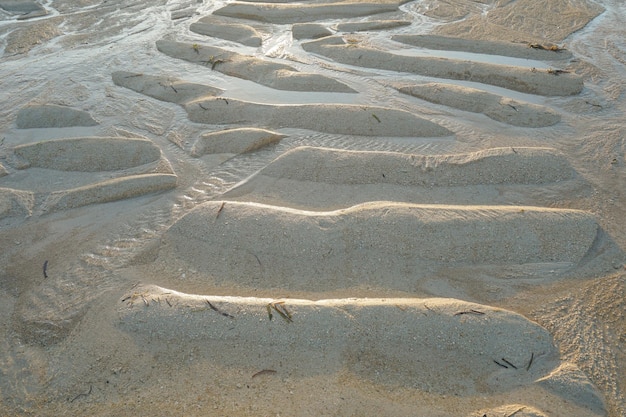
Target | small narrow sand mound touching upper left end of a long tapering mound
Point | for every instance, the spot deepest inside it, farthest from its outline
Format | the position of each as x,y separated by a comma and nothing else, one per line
163,88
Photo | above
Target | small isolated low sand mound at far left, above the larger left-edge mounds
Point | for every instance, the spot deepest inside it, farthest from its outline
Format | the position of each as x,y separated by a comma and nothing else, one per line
49,115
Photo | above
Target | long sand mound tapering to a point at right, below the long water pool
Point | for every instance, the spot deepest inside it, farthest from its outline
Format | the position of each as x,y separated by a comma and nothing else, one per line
331,118
